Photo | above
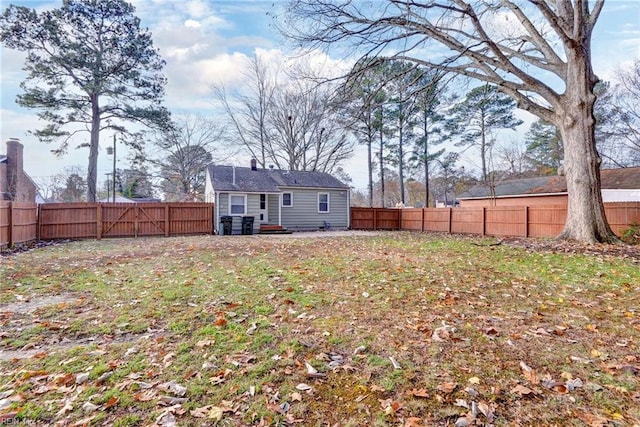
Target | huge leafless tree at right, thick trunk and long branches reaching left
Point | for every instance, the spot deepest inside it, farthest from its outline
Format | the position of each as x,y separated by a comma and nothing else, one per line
528,49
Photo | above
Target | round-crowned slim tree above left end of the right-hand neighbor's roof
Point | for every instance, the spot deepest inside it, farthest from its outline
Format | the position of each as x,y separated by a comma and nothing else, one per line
482,112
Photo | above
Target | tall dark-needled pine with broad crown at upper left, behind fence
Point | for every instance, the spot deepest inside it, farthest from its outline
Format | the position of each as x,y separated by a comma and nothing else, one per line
89,64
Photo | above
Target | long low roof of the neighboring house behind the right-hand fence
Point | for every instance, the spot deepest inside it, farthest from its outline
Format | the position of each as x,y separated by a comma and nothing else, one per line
611,179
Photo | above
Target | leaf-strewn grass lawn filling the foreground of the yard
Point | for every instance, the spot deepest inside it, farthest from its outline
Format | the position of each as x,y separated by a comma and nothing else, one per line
396,329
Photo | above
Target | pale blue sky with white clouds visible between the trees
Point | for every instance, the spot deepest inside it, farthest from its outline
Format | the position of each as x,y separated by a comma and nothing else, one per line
208,41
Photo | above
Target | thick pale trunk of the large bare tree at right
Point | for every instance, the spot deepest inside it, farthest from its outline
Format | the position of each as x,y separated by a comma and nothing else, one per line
586,219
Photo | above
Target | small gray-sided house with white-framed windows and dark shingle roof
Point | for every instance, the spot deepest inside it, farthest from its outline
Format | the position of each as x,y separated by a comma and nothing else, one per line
276,199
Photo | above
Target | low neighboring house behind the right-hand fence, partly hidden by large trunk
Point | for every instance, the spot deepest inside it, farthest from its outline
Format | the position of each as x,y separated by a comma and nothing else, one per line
618,185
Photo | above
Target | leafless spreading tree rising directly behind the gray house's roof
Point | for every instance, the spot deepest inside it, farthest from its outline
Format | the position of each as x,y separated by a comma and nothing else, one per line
288,121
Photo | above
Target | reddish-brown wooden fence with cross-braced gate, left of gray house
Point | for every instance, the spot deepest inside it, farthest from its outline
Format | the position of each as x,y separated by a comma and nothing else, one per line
98,220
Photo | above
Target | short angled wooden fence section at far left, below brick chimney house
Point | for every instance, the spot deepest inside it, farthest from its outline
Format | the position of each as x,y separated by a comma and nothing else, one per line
18,223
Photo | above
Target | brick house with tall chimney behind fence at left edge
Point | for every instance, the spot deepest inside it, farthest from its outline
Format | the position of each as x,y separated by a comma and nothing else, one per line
15,184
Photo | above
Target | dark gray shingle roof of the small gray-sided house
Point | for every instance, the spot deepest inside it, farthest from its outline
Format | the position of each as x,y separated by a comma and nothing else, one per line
246,180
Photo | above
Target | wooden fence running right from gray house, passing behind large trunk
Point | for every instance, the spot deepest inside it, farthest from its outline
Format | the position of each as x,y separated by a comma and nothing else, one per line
507,221
